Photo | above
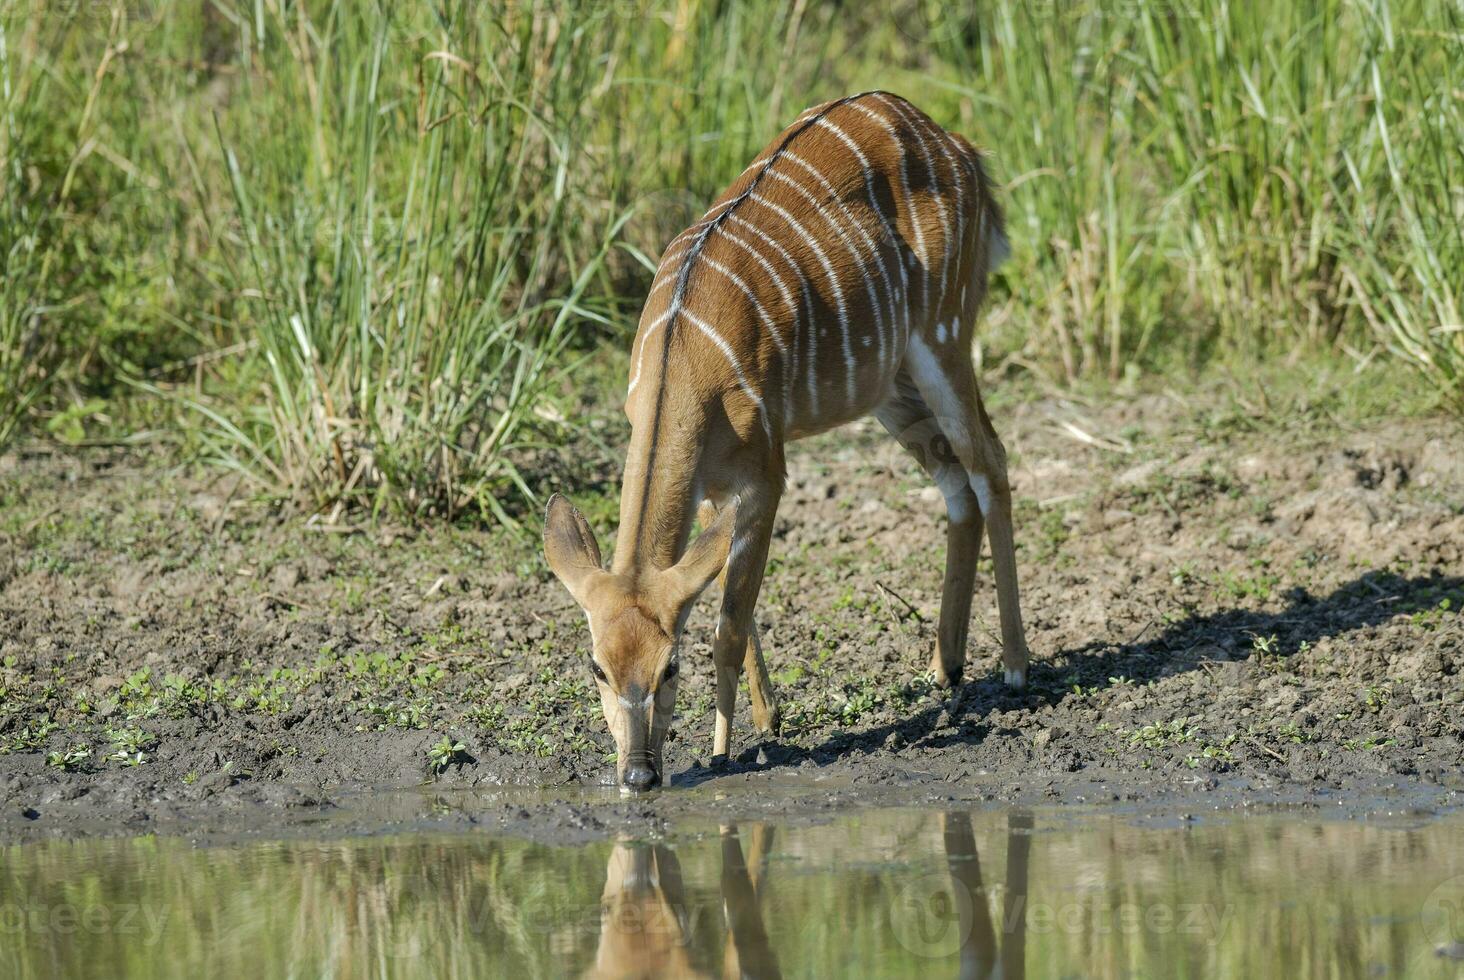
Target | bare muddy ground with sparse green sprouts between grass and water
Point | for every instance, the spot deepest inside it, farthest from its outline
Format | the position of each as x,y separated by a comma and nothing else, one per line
1228,601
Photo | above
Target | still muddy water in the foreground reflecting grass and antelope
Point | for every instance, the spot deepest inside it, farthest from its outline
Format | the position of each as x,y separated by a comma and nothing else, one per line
882,893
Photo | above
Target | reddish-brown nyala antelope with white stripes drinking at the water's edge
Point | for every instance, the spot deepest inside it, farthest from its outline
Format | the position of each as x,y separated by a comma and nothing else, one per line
840,276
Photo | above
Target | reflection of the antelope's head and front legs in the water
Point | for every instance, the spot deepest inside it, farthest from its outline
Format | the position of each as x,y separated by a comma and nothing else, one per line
645,924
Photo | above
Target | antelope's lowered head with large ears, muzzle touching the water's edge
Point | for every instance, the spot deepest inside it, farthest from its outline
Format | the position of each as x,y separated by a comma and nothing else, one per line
636,623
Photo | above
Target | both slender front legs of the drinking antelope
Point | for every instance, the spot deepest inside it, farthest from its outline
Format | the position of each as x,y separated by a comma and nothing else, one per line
736,642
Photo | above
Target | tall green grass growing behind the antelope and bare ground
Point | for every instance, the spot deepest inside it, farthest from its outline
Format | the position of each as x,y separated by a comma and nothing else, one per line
364,251
